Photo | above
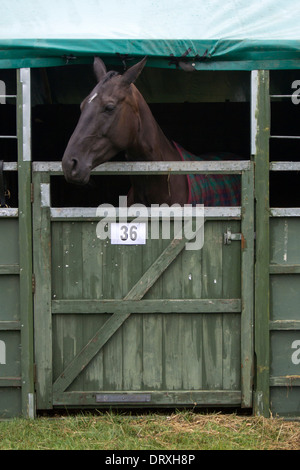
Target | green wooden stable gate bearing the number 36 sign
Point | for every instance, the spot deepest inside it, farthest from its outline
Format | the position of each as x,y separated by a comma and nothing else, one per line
143,325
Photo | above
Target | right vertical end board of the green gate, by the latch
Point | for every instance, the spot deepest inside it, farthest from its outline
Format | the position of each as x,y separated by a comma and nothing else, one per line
247,277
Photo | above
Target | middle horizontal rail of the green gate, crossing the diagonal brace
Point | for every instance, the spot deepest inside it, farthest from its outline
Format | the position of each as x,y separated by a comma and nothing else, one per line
146,306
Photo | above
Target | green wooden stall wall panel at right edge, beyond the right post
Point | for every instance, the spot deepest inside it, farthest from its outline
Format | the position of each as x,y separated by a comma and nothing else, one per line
284,316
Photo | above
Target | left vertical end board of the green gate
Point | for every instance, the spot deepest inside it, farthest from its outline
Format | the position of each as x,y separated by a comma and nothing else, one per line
42,300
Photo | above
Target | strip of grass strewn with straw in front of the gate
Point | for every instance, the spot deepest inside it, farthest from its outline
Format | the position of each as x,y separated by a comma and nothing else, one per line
176,431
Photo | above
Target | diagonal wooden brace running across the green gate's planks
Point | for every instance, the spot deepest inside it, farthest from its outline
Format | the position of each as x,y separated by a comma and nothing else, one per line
117,319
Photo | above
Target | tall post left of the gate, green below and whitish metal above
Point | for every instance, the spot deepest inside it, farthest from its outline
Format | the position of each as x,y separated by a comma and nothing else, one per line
25,238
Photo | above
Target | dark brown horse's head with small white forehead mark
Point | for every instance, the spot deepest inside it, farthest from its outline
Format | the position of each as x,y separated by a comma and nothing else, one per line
108,124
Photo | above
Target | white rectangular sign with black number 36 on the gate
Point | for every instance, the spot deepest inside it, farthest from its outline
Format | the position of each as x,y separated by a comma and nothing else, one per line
128,234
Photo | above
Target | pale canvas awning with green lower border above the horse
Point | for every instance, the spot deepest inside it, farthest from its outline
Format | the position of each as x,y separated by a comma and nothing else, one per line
208,34
